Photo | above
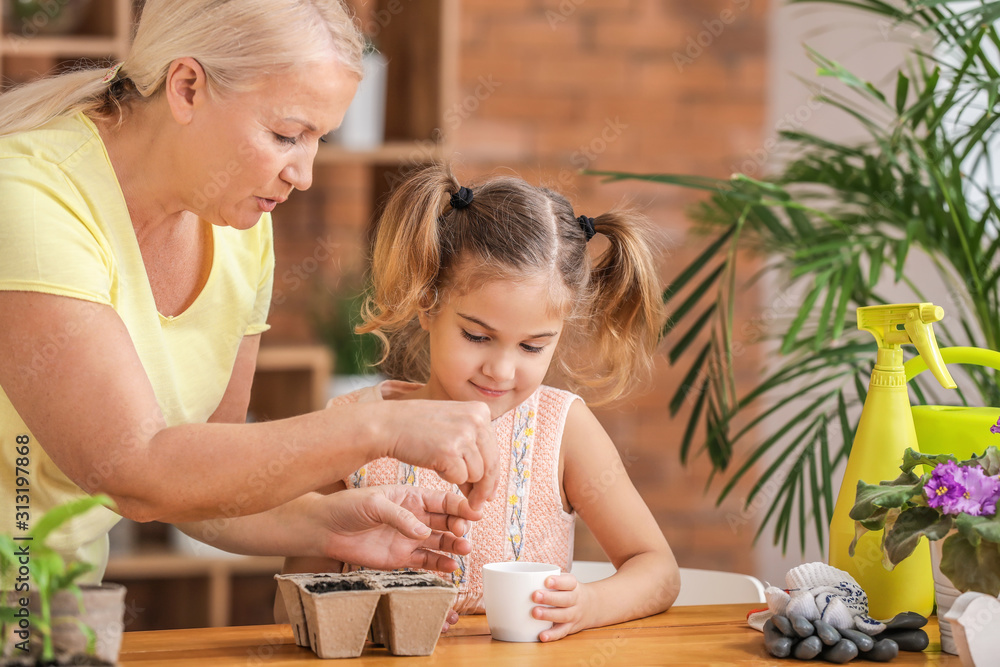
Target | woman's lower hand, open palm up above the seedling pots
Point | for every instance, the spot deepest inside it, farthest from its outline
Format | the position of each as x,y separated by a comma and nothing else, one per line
387,527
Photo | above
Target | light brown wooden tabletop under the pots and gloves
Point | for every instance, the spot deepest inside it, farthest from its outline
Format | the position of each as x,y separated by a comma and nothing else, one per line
709,635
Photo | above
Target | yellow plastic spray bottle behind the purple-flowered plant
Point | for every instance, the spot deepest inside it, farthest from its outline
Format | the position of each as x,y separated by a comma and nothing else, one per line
884,433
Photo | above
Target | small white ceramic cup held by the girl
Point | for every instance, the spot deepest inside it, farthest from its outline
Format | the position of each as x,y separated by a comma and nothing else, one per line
507,589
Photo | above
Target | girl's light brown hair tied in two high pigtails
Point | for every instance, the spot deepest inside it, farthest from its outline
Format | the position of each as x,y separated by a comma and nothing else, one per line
512,230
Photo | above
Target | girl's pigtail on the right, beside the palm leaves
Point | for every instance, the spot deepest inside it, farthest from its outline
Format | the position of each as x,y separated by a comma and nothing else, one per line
626,311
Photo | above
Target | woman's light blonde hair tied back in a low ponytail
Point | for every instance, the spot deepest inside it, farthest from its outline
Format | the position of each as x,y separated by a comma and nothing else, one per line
235,41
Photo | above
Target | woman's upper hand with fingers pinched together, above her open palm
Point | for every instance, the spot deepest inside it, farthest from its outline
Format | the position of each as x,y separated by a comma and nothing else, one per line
454,439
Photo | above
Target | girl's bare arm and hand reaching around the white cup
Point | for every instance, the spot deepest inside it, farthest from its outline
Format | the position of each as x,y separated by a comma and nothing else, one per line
597,486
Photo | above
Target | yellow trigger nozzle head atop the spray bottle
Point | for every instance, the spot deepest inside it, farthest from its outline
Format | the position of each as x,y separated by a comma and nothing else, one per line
908,323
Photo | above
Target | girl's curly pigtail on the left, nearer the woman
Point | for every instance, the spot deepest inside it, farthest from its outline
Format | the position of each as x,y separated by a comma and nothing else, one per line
406,260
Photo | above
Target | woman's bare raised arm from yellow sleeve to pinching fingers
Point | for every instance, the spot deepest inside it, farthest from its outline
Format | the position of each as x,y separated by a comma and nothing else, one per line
93,409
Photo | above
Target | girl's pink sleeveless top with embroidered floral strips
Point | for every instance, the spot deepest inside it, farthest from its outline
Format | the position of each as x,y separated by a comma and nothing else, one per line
526,520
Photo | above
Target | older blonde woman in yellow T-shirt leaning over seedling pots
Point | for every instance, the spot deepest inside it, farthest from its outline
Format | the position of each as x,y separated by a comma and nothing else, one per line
135,278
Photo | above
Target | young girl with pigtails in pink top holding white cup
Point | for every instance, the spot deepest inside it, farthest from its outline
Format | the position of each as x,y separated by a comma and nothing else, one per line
481,294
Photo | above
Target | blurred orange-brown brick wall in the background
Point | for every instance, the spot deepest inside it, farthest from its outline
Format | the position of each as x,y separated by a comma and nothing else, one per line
549,87
